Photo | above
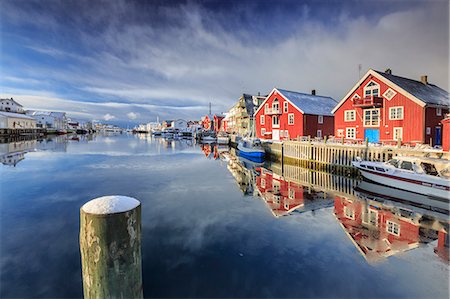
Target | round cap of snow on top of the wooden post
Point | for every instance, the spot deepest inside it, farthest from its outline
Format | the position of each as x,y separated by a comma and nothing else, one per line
110,205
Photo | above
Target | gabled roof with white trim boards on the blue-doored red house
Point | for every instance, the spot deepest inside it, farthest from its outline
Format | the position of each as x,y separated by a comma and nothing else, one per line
422,94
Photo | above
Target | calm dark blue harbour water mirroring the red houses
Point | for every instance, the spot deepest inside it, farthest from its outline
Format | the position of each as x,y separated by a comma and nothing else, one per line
212,227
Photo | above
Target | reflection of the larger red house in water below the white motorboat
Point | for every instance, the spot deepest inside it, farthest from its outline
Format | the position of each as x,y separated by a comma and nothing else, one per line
379,230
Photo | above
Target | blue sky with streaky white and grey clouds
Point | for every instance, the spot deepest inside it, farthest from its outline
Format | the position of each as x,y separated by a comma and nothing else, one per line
127,62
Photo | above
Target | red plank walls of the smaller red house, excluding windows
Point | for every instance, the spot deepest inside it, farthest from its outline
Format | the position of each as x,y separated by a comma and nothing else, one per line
304,125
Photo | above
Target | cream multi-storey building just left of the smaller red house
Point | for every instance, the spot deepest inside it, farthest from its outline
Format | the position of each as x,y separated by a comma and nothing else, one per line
239,119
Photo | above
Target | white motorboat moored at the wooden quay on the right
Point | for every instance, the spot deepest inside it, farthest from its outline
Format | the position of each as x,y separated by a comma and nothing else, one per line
414,174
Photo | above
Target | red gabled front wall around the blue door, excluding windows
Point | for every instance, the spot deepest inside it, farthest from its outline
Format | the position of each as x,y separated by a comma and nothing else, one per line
412,123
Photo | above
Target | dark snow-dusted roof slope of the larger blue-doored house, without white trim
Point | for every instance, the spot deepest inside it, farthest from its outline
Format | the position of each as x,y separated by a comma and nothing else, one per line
428,93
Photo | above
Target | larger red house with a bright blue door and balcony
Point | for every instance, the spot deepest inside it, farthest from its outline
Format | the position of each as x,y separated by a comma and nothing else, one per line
385,108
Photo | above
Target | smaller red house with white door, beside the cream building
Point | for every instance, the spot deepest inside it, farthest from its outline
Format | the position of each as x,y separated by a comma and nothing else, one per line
287,114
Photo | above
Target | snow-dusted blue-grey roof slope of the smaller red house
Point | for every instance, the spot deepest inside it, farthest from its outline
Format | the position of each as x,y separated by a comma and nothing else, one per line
310,104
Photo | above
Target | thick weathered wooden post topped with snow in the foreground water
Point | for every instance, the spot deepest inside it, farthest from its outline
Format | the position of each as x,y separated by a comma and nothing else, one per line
110,245
